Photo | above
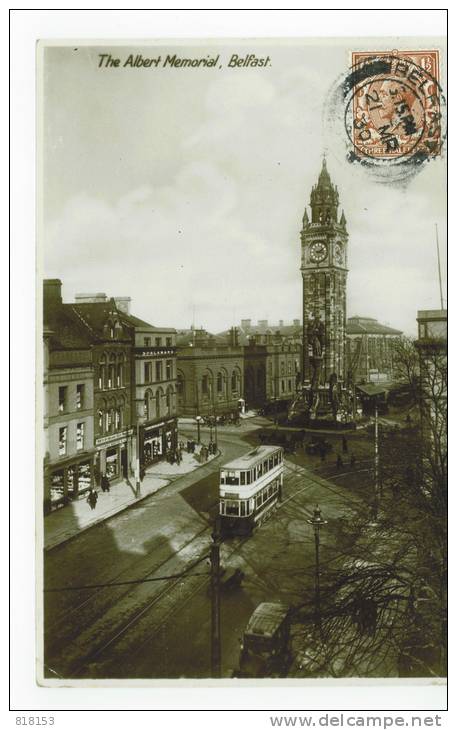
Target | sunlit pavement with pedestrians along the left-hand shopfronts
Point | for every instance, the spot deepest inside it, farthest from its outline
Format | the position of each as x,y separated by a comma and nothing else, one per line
69,521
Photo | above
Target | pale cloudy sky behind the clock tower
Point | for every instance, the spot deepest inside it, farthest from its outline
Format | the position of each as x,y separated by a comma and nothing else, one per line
184,188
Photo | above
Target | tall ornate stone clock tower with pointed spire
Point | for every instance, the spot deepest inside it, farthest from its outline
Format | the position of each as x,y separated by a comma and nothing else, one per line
324,241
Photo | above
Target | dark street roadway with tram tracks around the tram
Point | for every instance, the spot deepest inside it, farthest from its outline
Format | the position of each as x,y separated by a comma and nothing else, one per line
138,603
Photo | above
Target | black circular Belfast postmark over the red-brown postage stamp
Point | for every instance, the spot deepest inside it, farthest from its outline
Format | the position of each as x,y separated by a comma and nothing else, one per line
393,111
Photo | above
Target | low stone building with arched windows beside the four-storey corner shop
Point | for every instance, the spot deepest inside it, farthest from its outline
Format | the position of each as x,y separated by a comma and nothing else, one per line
209,373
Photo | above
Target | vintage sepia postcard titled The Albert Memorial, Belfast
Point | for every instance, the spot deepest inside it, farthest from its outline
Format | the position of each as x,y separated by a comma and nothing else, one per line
243,385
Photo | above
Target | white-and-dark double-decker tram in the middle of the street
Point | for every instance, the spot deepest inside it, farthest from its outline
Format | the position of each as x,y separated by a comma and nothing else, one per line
250,488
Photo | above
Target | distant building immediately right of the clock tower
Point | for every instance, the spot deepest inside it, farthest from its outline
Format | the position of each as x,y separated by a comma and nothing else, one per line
369,350
